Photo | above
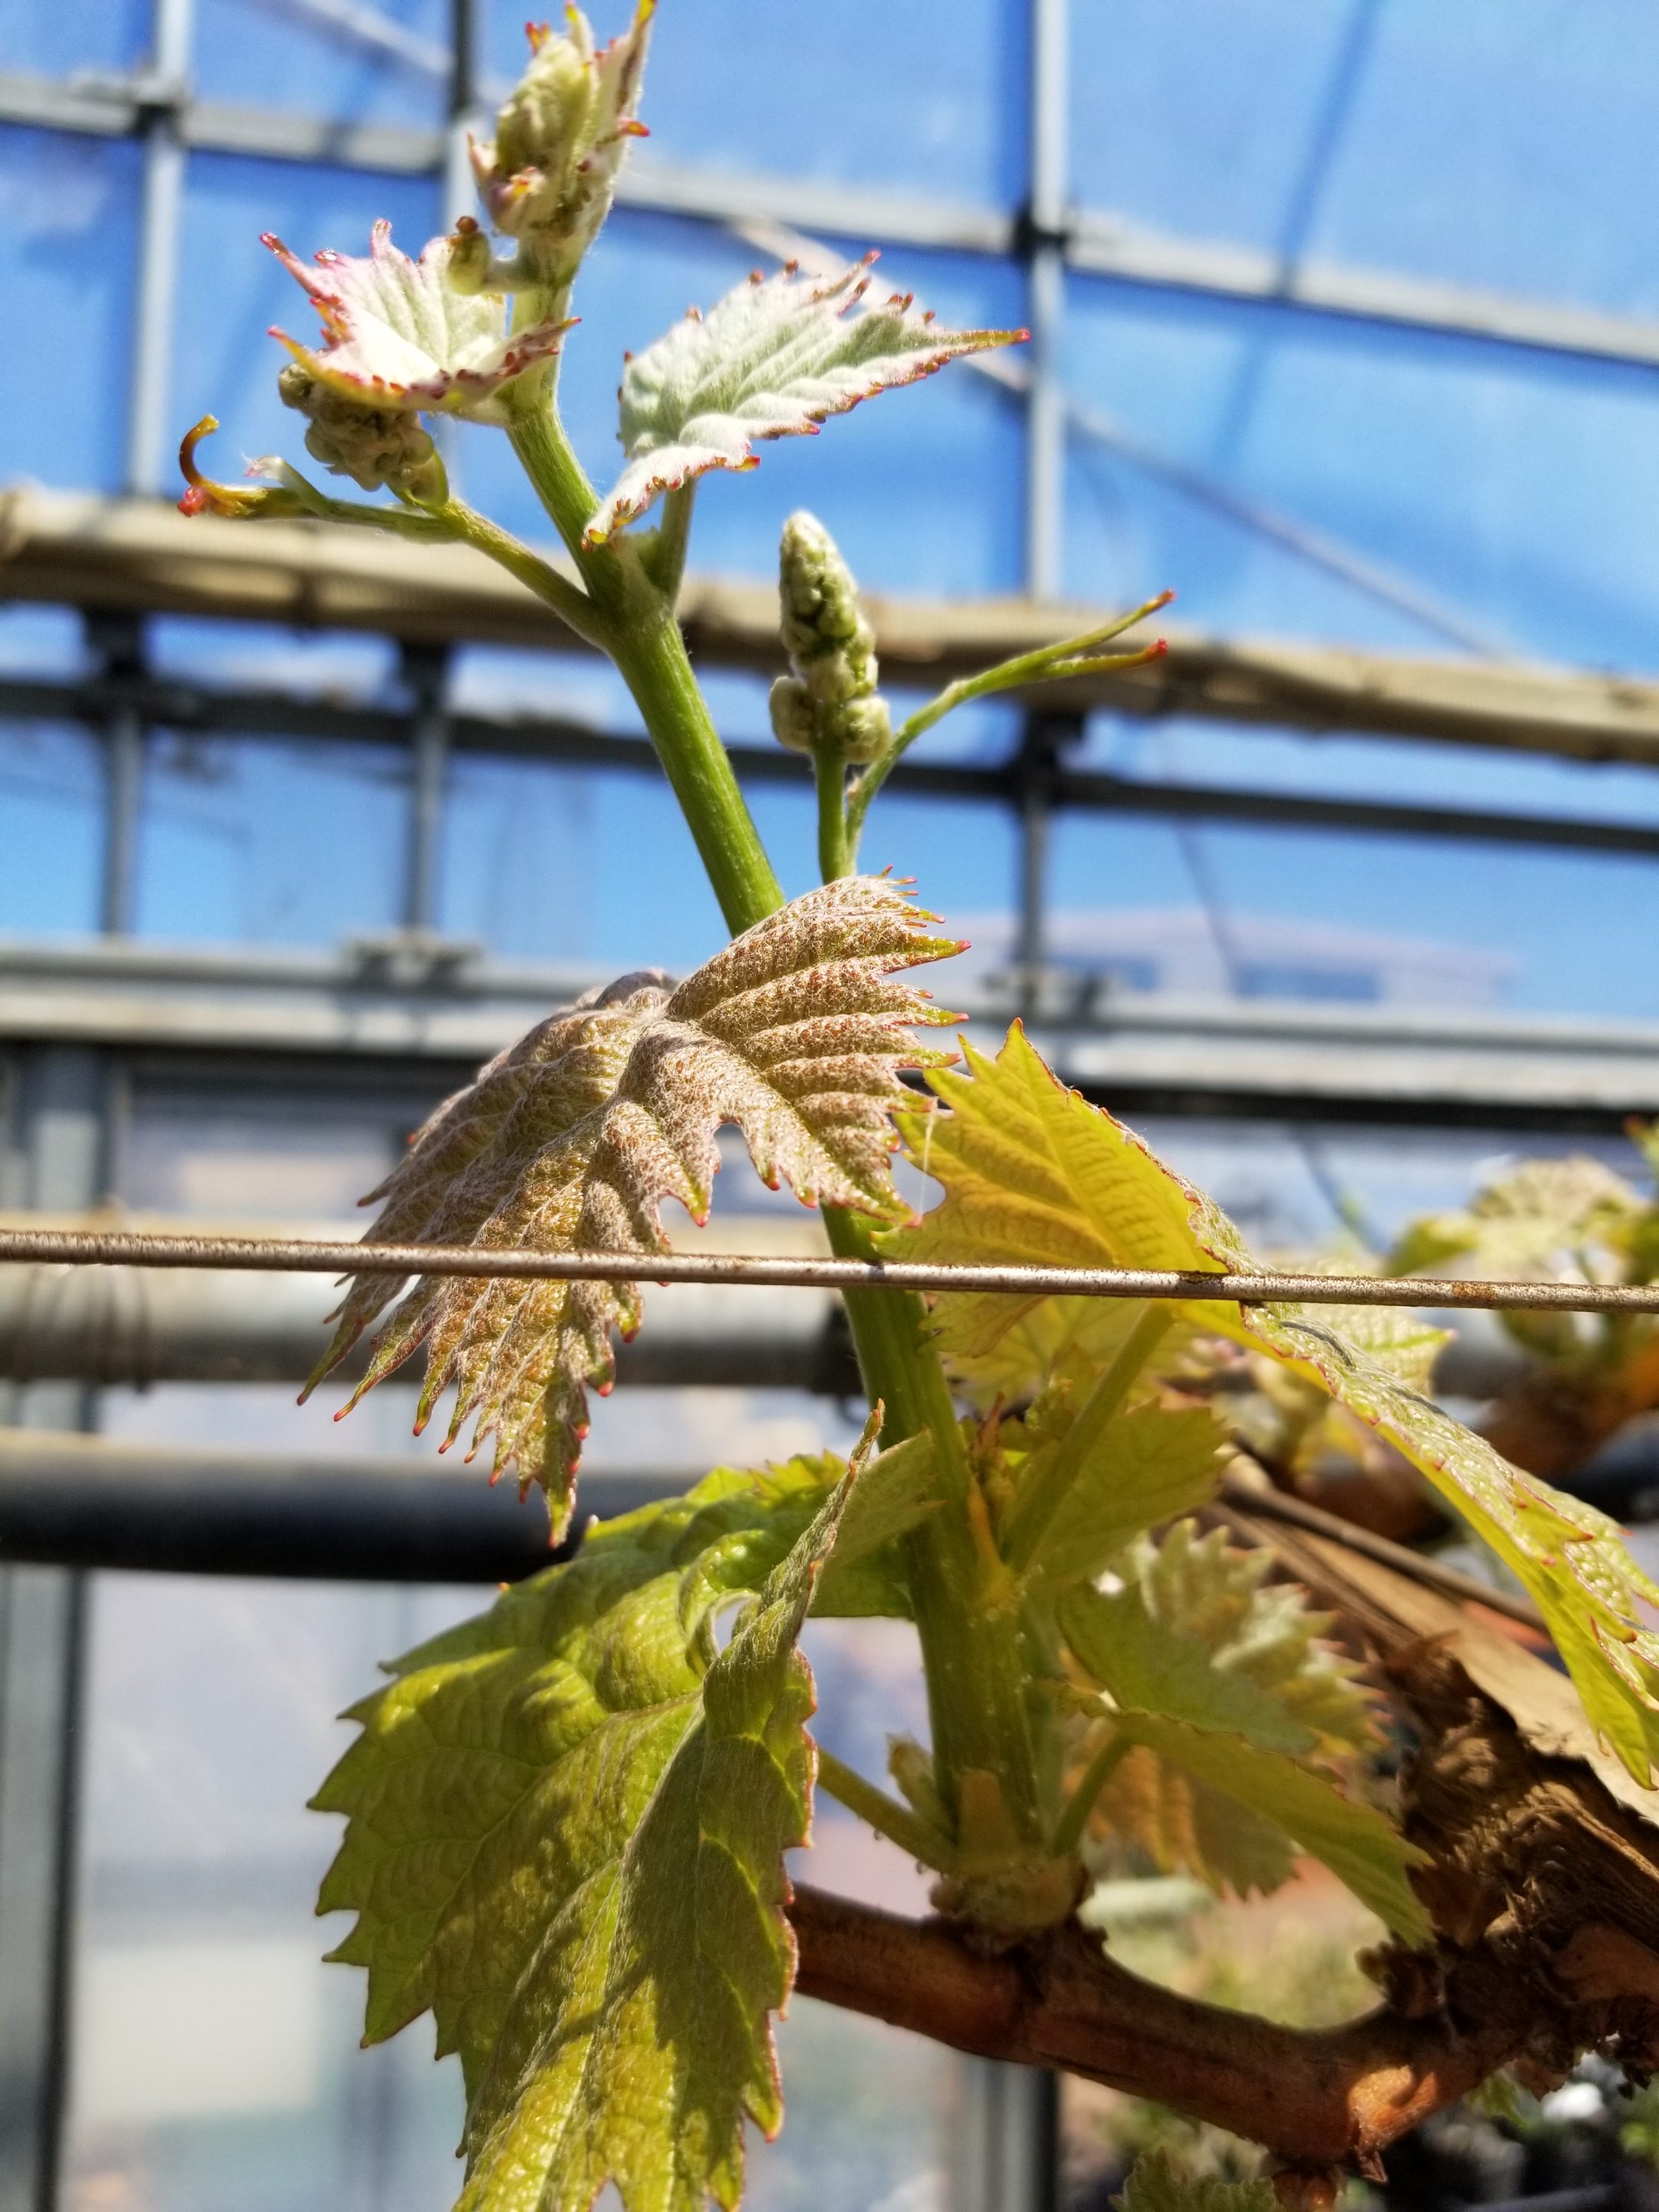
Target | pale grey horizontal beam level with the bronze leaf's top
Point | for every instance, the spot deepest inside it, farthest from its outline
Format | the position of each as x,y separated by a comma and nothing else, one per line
435,1008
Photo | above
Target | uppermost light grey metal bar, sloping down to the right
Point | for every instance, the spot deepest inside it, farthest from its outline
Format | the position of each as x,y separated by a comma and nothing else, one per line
1094,242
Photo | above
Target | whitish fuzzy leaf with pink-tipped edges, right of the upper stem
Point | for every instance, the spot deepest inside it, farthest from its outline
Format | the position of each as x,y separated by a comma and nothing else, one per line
775,359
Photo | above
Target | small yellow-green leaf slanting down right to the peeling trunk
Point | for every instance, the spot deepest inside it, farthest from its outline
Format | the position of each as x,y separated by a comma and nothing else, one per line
1238,1740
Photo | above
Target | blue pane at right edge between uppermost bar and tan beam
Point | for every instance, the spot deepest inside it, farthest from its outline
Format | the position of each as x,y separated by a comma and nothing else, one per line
1505,494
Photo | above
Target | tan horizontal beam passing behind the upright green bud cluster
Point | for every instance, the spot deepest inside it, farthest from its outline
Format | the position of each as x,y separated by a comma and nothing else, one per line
140,556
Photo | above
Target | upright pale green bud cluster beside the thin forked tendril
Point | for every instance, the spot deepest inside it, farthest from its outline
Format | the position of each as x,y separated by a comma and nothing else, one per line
831,696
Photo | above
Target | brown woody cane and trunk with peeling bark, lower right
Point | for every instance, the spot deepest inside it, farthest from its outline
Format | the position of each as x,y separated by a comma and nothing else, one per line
1545,1890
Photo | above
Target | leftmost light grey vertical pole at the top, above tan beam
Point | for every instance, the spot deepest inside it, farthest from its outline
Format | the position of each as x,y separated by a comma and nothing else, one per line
149,432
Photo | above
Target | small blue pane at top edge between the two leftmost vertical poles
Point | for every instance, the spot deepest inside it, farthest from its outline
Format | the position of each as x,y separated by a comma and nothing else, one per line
384,63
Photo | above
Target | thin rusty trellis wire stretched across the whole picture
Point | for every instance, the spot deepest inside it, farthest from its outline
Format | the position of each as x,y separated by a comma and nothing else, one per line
300,1255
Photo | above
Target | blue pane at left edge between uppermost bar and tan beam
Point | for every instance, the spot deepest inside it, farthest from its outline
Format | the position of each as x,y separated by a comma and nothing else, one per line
67,211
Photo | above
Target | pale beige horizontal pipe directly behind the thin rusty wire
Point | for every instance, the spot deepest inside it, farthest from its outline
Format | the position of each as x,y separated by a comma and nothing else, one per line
138,1326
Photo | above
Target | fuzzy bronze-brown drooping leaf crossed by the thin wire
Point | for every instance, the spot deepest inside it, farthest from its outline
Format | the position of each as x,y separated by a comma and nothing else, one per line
574,1140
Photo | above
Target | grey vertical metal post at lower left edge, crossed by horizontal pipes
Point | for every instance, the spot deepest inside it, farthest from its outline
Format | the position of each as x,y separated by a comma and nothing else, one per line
59,1147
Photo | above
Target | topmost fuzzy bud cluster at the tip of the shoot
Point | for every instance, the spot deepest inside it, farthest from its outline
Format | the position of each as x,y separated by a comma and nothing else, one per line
550,174
